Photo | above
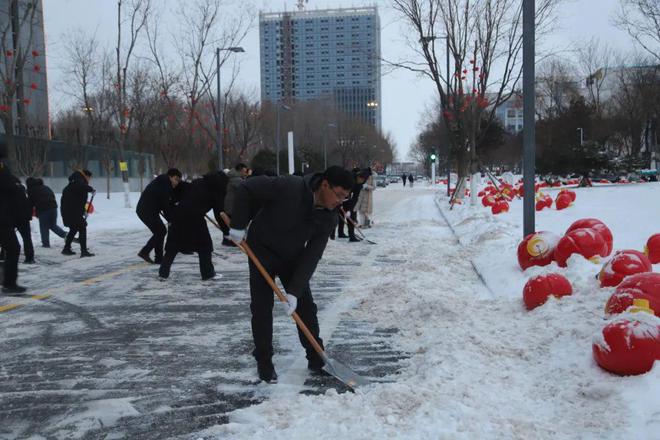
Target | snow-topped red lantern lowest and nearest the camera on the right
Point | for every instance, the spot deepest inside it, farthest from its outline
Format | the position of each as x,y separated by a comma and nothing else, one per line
628,346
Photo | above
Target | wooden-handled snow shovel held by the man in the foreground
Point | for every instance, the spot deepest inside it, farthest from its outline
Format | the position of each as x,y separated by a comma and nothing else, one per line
332,367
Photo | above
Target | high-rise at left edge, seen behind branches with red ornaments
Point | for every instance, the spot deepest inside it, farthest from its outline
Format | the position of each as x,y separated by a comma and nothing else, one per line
22,23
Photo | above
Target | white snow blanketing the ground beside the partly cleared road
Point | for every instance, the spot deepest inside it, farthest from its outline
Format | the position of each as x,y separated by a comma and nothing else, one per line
479,365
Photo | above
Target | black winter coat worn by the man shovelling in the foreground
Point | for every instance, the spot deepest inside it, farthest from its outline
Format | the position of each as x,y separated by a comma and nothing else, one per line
287,224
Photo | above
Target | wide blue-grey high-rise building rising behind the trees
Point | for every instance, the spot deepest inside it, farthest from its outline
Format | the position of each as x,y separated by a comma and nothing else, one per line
328,54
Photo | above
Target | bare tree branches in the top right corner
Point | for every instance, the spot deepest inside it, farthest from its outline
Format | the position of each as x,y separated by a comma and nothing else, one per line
641,19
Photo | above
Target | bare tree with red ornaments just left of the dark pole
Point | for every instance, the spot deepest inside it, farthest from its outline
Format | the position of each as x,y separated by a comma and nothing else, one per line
484,38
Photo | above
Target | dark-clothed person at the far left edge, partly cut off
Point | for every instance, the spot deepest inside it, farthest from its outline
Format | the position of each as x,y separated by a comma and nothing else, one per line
10,199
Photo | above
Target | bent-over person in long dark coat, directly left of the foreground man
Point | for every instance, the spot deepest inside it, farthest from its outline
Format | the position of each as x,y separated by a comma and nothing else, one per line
189,231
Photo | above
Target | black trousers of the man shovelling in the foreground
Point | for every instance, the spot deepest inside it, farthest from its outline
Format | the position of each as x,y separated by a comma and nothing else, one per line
261,306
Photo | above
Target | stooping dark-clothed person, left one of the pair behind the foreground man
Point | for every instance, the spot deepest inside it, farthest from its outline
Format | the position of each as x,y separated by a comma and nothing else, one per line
154,201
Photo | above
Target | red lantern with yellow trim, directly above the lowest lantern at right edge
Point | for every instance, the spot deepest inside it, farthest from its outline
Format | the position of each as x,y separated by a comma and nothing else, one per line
643,288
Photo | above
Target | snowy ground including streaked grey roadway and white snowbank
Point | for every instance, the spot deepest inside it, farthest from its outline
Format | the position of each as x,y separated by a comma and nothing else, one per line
450,357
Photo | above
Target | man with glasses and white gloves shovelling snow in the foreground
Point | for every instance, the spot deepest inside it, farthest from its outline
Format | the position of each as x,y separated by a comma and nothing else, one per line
288,234
